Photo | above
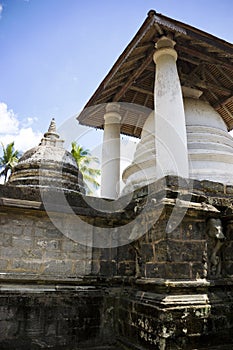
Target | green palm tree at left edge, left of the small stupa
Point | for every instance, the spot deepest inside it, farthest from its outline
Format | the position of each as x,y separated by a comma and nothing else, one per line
8,160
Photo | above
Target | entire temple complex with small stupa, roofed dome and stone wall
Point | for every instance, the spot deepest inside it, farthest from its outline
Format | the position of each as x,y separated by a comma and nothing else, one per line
149,267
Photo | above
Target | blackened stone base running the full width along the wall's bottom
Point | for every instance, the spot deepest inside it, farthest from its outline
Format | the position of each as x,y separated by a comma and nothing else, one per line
147,314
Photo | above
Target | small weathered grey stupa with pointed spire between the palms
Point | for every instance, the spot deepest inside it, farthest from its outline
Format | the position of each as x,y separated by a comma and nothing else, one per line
48,165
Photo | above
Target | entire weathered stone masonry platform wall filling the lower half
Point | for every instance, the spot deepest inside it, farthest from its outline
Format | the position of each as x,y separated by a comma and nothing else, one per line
161,291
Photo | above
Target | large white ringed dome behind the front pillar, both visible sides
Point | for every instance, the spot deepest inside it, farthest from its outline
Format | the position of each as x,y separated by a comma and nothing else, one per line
210,148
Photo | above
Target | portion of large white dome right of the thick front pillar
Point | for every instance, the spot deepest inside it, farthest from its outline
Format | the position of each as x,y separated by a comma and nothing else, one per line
210,146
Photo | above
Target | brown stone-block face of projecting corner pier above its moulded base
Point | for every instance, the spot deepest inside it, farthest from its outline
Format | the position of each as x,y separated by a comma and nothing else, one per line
179,255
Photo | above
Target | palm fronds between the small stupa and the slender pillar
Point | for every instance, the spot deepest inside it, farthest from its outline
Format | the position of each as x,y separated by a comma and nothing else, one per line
84,159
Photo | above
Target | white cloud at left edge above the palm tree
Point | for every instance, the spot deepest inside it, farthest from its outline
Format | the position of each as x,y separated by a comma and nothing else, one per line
11,129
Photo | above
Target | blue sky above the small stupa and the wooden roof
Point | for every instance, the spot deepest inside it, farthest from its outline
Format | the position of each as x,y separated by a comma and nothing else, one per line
54,53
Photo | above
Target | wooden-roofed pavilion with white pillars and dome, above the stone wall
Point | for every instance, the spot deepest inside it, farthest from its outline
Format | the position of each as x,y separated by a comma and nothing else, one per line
185,76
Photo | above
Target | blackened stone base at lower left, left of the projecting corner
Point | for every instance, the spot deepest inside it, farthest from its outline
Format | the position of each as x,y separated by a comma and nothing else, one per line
48,318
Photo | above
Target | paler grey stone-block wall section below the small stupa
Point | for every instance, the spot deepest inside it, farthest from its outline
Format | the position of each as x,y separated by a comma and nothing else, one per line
32,248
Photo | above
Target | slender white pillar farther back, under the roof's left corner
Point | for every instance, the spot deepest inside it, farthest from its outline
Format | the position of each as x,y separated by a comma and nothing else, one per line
110,171
